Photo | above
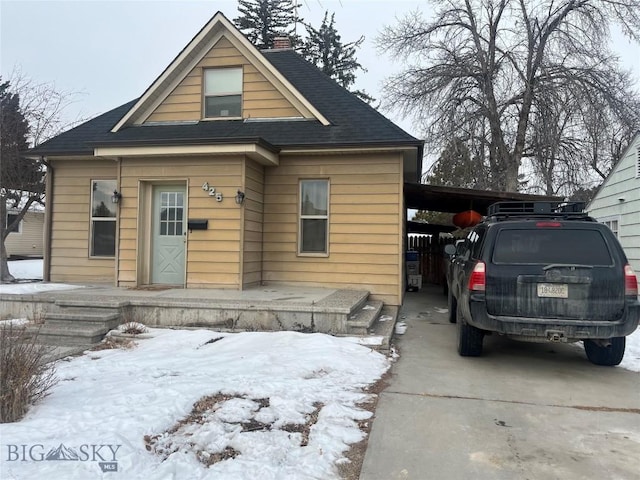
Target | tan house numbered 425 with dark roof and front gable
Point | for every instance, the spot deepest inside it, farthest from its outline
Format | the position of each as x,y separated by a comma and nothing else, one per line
234,168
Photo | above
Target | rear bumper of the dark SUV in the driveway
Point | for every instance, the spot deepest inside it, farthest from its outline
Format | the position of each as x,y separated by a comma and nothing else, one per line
548,328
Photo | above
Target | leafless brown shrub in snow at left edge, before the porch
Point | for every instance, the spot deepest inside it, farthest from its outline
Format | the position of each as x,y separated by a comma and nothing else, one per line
25,374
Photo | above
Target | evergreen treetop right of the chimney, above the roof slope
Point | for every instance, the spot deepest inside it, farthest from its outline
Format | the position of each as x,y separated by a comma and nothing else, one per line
324,48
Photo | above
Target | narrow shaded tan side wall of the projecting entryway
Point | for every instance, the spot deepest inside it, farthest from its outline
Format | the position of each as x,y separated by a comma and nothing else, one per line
253,212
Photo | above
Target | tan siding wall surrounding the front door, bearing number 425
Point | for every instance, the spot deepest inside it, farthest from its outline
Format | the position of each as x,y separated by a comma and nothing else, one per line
213,255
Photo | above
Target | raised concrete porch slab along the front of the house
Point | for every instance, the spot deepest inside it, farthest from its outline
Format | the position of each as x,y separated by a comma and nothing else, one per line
263,308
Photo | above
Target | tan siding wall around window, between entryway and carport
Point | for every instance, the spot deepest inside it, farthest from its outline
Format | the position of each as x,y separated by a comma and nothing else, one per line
365,217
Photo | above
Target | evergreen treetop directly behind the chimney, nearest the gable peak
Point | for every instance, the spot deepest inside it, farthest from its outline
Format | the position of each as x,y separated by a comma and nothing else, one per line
263,20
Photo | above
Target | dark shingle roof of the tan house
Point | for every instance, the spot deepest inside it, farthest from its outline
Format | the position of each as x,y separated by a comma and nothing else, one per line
353,122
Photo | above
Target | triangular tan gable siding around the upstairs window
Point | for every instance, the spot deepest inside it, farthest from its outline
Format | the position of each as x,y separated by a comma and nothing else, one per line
260,99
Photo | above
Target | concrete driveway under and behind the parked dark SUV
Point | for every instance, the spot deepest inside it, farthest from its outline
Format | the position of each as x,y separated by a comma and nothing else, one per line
522,411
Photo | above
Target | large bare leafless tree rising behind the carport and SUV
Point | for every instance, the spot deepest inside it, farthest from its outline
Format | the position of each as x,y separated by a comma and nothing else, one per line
490,68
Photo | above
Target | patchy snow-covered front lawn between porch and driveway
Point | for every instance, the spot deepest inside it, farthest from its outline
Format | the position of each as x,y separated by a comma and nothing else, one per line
283,405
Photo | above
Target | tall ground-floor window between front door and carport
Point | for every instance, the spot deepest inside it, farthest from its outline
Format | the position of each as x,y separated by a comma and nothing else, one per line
314,217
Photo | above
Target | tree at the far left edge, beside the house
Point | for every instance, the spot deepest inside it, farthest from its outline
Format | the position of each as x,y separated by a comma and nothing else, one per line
31,113
